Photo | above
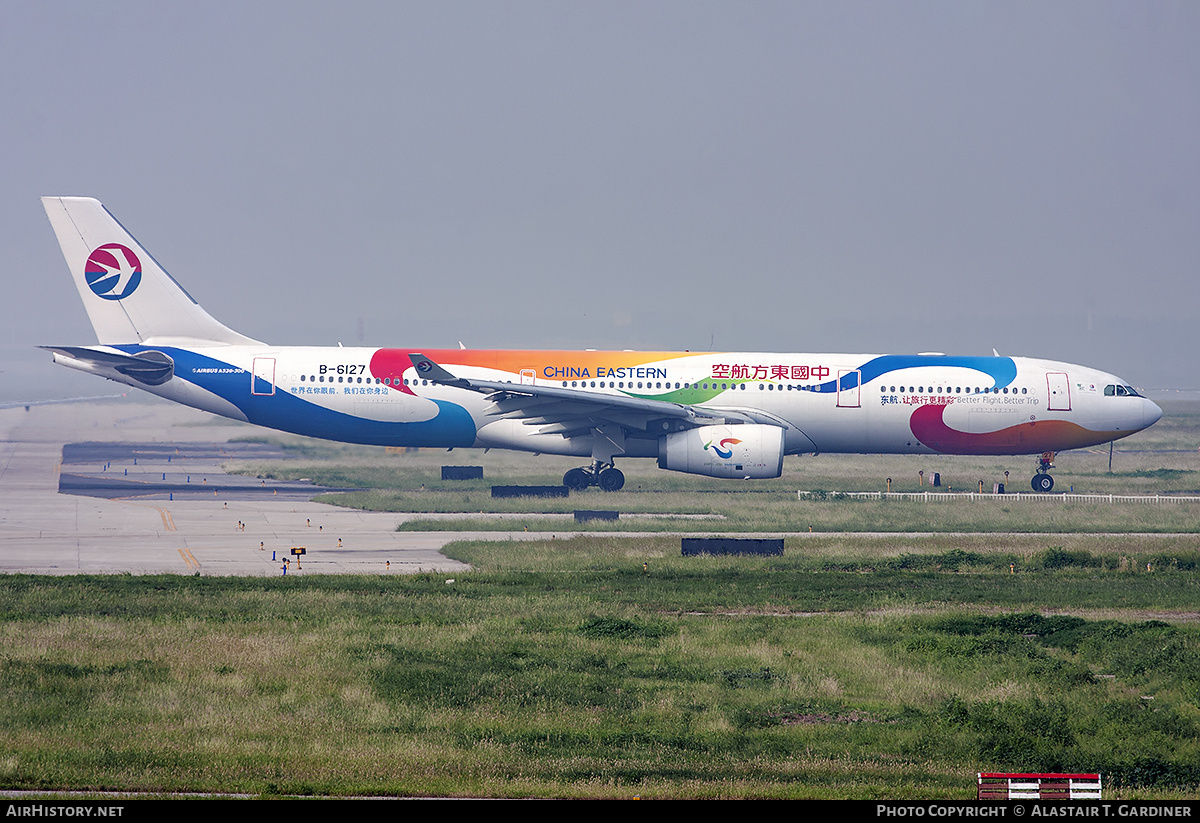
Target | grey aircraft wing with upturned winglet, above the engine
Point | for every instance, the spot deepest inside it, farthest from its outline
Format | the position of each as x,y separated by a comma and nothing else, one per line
572,412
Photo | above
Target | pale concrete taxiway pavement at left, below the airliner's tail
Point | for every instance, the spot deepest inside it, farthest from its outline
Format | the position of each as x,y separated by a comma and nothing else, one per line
197,520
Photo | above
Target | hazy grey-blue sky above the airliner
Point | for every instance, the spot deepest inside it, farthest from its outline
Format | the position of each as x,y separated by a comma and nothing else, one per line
775,177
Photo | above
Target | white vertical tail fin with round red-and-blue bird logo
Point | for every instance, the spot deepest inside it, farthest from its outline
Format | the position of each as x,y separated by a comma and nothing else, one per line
129,297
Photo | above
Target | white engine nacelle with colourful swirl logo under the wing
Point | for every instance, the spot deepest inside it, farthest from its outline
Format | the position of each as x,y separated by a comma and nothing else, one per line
743,450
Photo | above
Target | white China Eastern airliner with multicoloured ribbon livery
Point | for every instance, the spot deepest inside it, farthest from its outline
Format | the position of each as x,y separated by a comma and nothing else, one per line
707,413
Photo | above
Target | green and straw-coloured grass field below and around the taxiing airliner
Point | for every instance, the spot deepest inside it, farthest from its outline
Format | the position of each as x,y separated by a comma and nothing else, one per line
1058,639
